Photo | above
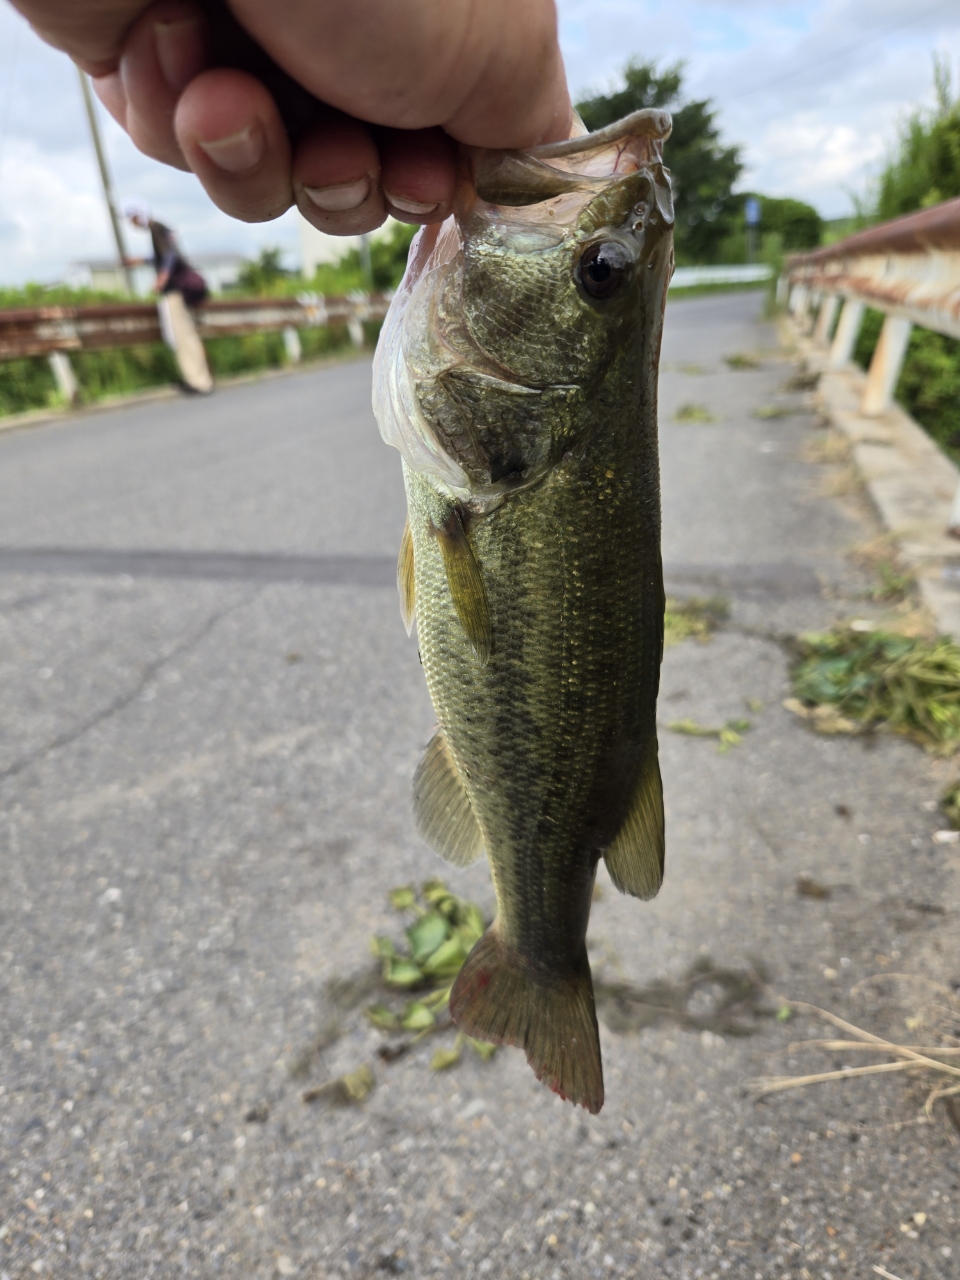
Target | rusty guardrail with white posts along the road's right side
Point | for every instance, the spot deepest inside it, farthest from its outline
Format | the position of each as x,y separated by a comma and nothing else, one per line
908,268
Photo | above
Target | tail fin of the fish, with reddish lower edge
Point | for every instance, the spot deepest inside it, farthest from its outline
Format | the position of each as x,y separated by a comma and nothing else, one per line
500,999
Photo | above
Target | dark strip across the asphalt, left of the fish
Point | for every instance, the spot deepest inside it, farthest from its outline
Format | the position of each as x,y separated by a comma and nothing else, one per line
211,566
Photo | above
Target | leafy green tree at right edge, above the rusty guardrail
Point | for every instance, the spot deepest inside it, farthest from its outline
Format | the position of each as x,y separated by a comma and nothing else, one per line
925,168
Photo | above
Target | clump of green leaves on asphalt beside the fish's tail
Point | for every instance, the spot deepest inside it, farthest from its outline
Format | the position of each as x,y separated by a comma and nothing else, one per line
436,945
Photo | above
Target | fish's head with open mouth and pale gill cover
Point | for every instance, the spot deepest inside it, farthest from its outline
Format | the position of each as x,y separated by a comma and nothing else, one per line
491,346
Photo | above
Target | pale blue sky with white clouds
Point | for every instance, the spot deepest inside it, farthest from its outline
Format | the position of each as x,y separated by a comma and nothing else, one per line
812,92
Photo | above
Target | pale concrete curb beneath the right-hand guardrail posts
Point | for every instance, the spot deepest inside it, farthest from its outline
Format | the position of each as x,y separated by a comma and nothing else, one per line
909,481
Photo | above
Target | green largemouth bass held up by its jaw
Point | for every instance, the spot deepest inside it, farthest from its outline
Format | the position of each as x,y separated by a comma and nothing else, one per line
516,373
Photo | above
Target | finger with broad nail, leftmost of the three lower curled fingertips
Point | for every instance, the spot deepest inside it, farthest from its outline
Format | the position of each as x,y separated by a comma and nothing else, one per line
234,139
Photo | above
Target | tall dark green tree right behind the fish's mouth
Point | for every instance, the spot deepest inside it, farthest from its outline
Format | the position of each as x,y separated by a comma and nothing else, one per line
705,171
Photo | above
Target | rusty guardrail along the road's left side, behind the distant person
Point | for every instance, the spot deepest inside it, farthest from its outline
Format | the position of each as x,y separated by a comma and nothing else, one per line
58,332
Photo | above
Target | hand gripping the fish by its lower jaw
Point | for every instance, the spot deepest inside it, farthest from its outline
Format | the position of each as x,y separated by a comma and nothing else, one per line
401,81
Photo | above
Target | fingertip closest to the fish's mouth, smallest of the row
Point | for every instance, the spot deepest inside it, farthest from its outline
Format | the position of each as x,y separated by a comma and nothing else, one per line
418,173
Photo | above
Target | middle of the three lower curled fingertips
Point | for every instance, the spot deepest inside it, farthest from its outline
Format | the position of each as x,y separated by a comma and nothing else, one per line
337,177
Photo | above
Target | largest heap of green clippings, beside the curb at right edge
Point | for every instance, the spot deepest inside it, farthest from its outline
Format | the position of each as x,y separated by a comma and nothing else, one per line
852,682
